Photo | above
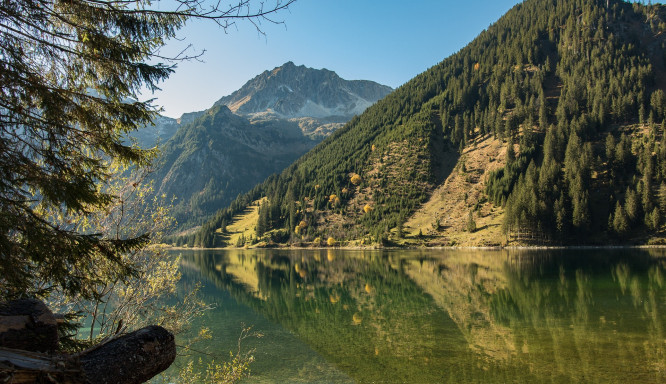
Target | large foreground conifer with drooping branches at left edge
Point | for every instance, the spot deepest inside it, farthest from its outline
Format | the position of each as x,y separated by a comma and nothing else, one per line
69,70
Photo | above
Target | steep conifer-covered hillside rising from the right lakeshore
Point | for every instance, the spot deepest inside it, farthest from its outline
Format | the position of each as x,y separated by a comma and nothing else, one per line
573,89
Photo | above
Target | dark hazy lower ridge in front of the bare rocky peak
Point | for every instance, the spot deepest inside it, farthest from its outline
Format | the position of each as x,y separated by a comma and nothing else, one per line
221,155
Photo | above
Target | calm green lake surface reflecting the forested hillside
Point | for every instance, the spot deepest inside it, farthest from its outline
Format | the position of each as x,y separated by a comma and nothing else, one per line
506,316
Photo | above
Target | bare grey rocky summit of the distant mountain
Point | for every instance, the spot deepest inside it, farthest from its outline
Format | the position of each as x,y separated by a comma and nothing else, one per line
292,91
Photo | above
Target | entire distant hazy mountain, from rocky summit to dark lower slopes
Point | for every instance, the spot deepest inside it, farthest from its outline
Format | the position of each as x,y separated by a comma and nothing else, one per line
217,154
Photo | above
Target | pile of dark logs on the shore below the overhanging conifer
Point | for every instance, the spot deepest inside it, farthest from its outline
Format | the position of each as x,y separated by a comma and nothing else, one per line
28,353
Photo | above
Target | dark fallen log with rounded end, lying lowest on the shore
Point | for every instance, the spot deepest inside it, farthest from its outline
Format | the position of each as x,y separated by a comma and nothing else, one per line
130,359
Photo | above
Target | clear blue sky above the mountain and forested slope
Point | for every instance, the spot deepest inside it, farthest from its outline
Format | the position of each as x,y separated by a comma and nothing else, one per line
387,41
